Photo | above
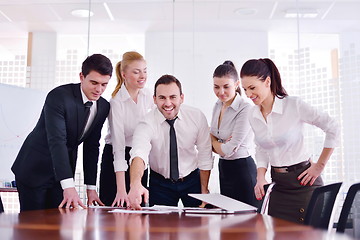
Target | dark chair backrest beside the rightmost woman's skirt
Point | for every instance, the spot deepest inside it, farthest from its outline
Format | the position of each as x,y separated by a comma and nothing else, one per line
321,205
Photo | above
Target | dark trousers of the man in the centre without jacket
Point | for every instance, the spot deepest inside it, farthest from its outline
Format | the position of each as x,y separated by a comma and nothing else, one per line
167,192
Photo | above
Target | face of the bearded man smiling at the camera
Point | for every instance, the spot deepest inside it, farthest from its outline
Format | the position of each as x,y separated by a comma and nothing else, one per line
168,99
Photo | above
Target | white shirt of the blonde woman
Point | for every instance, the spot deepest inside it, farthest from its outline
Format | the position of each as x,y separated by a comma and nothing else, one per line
123,117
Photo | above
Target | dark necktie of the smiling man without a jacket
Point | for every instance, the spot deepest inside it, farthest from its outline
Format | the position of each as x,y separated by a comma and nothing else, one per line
174,170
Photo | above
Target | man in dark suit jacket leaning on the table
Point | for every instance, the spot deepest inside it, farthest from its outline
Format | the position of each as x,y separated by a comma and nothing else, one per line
45,166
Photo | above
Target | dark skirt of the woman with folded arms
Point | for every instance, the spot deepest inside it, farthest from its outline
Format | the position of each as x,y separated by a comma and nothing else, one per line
238,179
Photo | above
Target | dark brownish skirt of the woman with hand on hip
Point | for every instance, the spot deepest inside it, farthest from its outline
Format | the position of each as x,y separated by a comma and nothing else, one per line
289,199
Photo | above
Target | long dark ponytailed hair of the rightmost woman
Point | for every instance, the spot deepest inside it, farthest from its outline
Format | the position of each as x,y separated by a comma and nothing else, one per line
263,68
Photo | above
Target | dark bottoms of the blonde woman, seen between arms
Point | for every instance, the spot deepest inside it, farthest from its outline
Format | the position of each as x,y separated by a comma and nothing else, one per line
108,176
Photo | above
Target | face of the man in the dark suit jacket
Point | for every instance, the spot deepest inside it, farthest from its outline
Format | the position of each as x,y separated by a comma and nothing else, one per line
94,84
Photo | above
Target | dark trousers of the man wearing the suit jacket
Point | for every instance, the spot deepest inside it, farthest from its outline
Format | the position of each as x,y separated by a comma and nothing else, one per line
43,197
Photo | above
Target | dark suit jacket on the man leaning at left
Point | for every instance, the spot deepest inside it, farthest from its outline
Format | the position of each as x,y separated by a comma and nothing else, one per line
49,152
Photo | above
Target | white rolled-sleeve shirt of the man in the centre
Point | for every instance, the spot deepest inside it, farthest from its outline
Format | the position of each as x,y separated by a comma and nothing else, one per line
151,142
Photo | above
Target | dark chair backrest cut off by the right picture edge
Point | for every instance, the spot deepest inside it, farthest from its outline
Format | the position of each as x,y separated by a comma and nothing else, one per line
350,213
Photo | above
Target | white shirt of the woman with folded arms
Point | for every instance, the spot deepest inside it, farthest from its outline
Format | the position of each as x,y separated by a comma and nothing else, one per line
234,124
